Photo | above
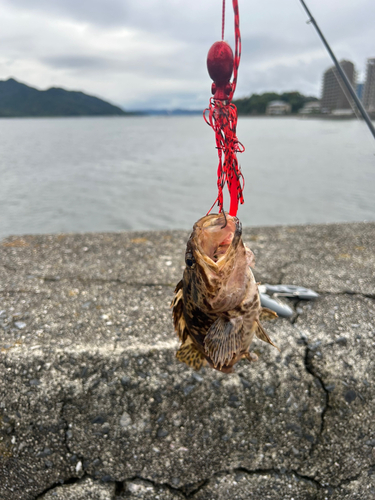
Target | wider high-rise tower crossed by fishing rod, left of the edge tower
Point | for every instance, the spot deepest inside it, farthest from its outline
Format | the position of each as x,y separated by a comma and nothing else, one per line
333,95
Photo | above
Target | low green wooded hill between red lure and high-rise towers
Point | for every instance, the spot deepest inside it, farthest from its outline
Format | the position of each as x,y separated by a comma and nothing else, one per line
256,104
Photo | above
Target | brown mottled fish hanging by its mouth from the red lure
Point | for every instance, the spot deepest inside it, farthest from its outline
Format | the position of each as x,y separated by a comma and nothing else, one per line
216,307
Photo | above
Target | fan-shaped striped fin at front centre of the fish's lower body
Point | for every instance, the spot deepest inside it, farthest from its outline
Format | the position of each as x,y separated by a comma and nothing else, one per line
223,340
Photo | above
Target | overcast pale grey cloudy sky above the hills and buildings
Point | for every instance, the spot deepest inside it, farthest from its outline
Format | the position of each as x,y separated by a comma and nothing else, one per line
152,53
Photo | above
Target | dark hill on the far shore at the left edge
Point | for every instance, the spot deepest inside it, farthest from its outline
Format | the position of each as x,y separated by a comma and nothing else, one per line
18,99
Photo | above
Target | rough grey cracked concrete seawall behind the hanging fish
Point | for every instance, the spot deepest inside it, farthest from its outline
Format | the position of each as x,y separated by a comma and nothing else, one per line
94,405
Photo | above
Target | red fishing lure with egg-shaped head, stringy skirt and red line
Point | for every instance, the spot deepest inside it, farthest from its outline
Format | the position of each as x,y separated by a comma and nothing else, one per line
222,115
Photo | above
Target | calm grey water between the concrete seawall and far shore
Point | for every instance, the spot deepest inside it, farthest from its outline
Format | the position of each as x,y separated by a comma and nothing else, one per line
113,174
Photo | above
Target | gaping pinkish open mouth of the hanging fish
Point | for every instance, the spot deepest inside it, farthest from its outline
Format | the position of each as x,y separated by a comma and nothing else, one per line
216,233
